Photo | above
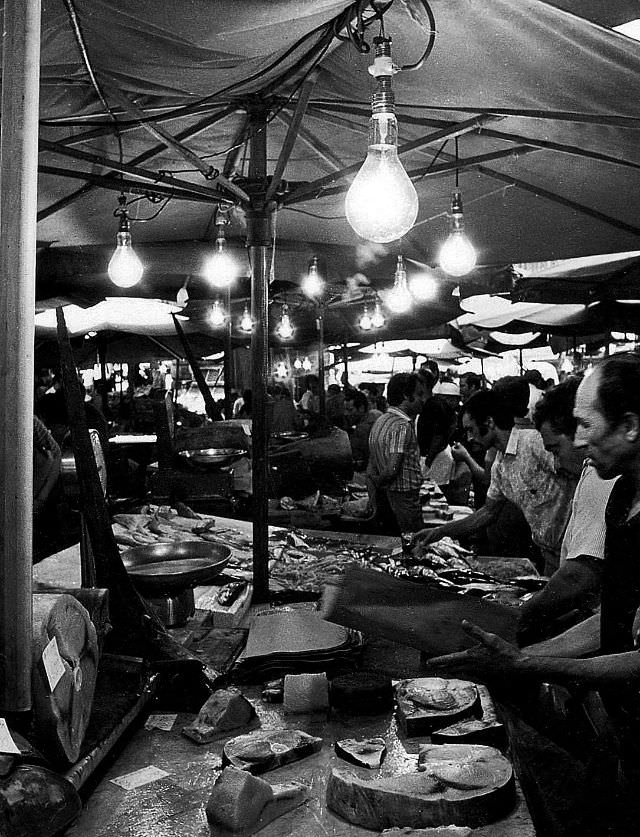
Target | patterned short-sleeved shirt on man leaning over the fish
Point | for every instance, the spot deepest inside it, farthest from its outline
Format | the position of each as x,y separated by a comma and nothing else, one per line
524,473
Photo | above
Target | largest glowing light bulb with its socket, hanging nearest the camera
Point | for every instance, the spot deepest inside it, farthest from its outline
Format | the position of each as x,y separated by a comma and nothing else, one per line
382,203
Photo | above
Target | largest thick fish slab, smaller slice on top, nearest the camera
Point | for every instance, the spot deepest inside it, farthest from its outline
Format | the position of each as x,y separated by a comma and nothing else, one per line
462,784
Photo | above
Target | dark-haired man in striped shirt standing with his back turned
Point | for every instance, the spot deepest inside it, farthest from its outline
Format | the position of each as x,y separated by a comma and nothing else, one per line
394,455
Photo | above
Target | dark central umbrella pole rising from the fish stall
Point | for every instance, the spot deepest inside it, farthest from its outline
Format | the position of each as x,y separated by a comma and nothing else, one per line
258,244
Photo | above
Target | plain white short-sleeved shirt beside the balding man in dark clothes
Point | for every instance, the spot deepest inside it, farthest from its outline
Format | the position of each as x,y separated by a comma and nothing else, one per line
586,530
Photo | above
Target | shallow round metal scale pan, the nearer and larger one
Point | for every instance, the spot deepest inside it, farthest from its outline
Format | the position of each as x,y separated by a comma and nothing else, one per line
164,567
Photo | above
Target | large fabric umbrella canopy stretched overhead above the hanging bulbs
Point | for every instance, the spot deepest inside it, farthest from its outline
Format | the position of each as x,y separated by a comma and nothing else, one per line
545,102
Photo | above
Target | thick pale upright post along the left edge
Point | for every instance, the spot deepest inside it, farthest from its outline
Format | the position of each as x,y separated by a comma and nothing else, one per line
18,207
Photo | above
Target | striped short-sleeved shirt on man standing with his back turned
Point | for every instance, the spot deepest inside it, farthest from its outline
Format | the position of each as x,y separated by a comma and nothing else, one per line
393,433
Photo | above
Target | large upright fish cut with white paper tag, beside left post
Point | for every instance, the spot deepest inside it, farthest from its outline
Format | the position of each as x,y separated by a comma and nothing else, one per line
61,714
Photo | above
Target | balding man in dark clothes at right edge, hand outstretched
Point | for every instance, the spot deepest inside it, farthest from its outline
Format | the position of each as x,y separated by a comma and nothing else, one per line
601,652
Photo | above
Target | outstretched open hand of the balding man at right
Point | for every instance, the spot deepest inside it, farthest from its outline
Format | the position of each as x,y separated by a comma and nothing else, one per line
492,656
